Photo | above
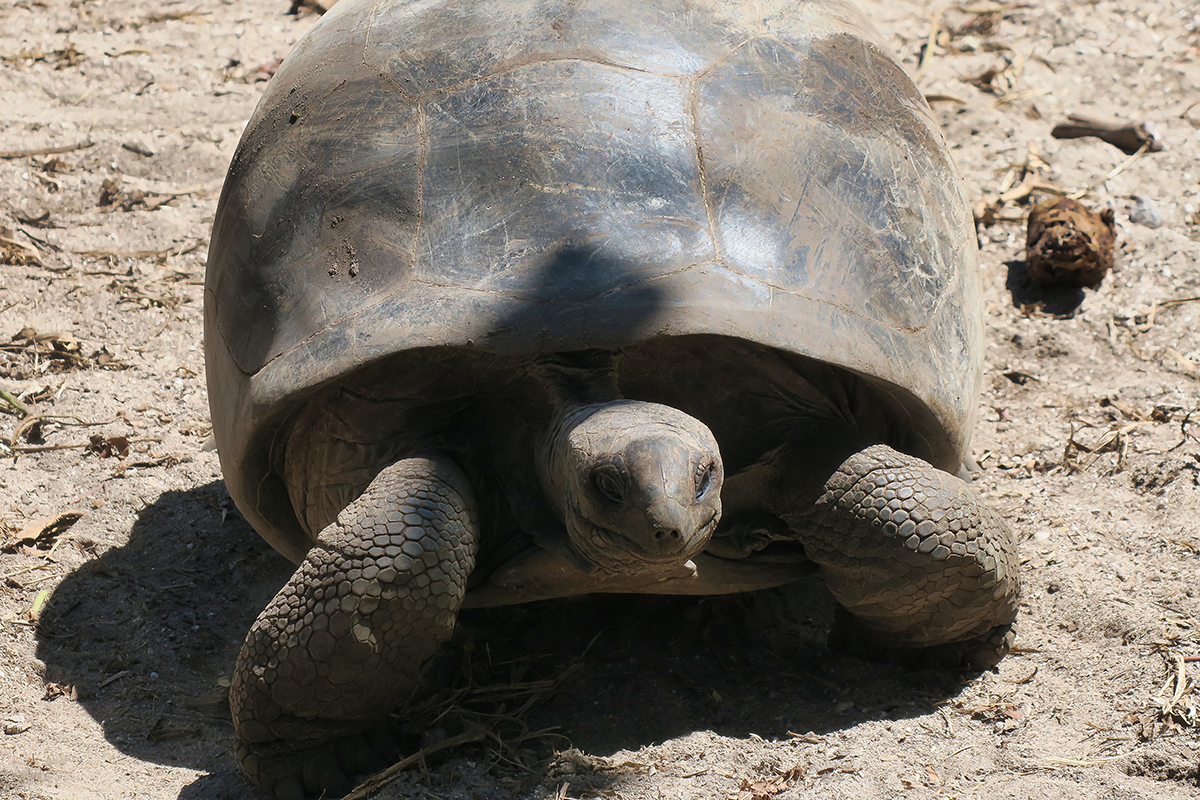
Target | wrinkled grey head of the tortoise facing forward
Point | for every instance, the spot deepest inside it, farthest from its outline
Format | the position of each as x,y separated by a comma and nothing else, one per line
638,485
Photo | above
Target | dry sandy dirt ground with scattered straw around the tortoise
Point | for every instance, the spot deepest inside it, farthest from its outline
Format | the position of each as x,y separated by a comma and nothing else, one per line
122,621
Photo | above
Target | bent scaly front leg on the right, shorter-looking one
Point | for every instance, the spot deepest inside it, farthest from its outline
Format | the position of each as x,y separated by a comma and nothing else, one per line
910,551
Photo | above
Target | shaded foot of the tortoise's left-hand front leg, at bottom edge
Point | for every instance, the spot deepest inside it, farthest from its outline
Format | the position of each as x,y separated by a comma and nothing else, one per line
326,771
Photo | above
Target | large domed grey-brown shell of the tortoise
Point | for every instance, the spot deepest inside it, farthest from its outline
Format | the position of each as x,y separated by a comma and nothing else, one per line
521,177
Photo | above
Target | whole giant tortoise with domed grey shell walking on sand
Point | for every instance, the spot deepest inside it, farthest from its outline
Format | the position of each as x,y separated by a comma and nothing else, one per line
512,300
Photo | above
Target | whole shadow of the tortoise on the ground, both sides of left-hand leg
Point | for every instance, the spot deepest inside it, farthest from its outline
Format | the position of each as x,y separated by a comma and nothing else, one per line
147,634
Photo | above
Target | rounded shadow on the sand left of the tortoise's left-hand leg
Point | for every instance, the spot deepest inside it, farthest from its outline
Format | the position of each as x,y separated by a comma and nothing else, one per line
146,633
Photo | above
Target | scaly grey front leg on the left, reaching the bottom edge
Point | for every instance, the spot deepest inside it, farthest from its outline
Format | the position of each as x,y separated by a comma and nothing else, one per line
344,642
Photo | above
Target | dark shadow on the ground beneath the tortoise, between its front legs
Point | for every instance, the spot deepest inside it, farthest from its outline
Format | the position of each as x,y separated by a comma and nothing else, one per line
661,667
